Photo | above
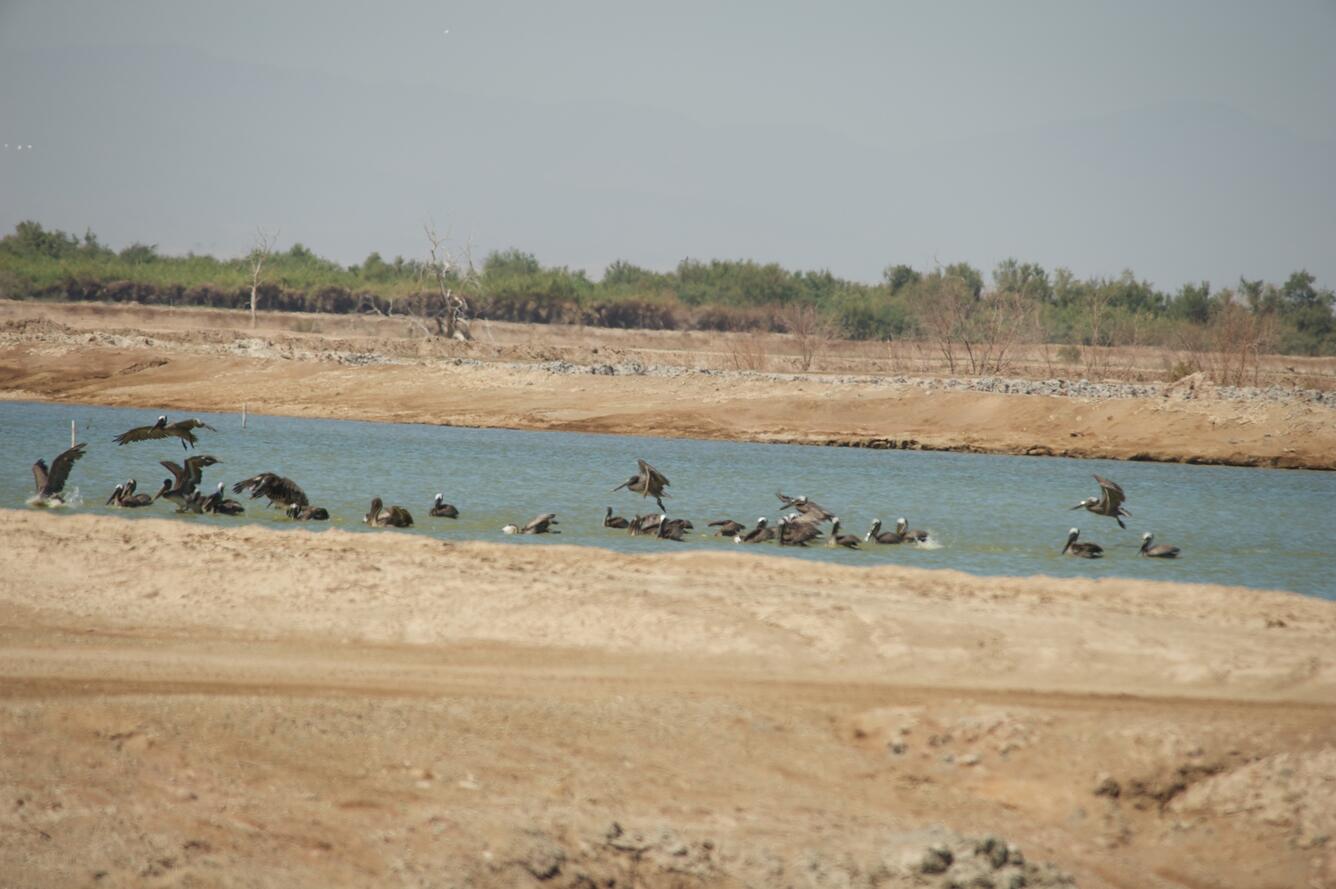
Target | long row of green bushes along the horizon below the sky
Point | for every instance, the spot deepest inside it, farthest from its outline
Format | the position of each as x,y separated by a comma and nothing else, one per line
947,303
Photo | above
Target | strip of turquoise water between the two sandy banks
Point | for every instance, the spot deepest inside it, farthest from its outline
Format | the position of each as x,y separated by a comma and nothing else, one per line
988,515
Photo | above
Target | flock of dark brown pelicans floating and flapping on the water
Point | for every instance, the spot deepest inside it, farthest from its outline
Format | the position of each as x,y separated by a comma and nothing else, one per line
801,527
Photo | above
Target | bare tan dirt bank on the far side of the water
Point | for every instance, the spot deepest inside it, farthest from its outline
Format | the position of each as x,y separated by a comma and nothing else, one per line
365,368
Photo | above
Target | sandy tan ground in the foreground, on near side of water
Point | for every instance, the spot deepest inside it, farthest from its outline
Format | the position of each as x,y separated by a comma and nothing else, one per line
197,708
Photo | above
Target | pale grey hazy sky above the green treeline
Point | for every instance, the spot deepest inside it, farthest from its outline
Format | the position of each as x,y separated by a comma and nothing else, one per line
1186,141
